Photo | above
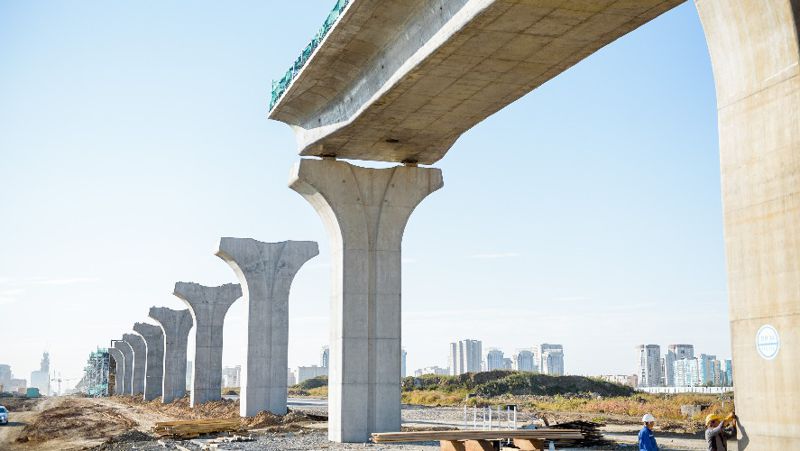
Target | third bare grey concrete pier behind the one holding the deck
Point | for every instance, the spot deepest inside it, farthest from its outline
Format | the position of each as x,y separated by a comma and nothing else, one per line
175,324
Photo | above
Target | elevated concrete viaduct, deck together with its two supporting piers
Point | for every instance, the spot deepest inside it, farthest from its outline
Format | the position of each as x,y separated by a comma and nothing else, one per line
400,81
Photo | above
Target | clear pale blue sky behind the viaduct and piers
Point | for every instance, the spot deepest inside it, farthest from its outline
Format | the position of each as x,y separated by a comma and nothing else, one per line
133,135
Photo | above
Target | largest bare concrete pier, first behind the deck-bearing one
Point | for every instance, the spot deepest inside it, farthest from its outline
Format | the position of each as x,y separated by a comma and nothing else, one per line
265,271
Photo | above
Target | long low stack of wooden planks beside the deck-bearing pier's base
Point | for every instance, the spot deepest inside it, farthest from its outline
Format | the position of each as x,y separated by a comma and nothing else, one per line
495,434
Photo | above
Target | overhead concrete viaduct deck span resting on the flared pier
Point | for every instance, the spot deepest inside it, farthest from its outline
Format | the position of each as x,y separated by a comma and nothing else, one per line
401,81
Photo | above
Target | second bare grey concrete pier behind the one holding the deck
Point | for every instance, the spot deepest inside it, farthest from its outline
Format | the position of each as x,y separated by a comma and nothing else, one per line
208,306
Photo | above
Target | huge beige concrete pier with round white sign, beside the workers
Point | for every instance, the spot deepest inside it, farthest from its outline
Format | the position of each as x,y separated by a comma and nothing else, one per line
755,57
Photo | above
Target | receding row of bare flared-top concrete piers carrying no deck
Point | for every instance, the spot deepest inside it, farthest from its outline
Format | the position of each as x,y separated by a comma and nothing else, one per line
151,361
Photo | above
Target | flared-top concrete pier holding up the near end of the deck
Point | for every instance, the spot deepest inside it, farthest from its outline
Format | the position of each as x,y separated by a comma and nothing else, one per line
365,212
